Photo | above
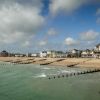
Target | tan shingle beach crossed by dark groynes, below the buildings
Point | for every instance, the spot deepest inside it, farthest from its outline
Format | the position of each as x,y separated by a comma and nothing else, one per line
64,62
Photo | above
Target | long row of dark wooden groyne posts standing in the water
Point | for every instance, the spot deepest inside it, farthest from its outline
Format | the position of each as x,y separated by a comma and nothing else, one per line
62,75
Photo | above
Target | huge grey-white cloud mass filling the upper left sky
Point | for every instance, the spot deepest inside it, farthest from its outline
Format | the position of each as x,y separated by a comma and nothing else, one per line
19,20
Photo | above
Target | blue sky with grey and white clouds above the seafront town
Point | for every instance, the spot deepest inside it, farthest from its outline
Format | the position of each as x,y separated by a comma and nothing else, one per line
37,25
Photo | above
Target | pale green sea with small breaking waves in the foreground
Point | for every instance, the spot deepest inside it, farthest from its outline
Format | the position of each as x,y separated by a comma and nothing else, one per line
30,82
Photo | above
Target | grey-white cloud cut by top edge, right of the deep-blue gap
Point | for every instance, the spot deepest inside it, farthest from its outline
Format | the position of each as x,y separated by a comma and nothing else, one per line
68,6
